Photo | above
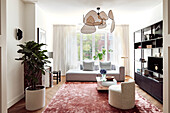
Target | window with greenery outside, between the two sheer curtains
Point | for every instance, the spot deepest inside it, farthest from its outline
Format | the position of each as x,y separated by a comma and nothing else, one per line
90,44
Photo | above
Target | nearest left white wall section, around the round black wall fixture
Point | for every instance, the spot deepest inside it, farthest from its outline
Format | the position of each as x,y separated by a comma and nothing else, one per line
15,19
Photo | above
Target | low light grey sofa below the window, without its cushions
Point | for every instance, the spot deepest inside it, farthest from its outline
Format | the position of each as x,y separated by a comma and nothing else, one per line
80,75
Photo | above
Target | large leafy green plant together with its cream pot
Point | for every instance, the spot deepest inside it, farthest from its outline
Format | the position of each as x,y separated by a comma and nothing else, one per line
34,60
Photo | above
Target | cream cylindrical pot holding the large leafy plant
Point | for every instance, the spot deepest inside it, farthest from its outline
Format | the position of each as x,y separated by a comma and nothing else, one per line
35,99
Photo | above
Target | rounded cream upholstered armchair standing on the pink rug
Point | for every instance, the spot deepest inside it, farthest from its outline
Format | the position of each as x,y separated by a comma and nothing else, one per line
122,96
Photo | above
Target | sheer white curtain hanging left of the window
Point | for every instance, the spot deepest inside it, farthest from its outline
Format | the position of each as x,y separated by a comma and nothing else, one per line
64,48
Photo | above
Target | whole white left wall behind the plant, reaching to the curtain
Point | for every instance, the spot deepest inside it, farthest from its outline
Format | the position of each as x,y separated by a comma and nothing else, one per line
27,17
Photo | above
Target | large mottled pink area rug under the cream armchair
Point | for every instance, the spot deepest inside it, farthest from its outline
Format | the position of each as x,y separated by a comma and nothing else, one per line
82,97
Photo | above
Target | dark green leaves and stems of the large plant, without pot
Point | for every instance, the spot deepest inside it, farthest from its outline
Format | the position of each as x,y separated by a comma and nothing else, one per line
34,59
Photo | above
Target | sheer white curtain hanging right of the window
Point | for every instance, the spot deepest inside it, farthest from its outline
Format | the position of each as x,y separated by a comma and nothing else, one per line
121,46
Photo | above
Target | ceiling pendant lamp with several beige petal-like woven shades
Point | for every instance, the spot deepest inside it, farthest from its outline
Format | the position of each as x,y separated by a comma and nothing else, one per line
93,19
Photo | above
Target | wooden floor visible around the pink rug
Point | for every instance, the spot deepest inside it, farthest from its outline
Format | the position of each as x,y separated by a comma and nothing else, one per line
50,92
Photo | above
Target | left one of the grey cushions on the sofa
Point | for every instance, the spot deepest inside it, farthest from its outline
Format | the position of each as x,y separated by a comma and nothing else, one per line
88,66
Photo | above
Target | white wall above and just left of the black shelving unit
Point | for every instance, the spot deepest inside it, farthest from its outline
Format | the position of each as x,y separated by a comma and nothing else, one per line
139,21
